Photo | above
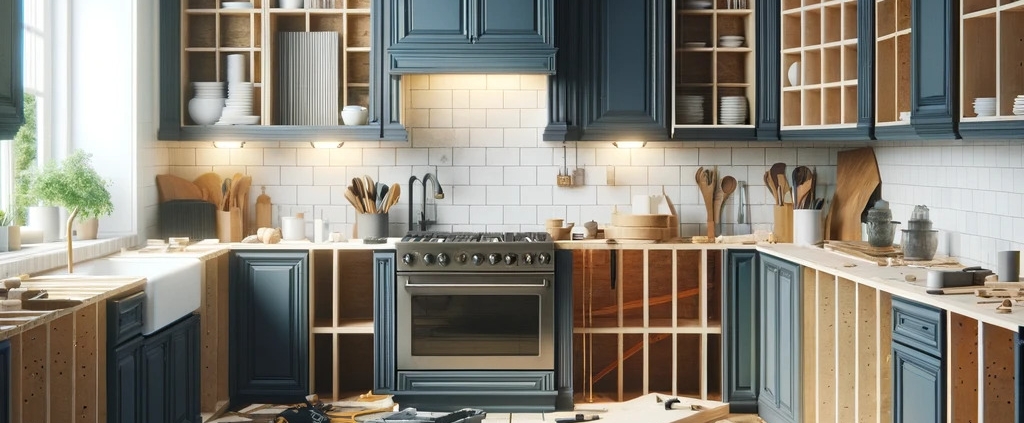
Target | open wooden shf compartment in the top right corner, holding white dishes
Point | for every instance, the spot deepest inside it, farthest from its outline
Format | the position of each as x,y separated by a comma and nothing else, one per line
992,57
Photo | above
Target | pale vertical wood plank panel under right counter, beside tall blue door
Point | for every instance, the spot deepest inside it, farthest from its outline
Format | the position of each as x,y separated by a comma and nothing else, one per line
846,348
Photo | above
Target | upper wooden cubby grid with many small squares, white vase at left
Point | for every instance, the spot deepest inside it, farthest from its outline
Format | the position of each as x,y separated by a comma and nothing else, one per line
820,46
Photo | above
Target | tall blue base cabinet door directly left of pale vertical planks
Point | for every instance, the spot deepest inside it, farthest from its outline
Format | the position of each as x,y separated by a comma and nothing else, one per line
781,389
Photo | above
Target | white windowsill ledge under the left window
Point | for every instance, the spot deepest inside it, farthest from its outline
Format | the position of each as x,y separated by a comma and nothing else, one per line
38,258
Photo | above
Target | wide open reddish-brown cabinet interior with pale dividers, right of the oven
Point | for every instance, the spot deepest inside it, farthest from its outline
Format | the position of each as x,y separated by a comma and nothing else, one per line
647,321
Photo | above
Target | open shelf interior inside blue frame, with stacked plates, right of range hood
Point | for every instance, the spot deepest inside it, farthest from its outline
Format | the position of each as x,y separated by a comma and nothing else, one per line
712,71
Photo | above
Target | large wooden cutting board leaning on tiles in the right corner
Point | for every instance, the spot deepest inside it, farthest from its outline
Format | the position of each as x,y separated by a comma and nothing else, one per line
858,182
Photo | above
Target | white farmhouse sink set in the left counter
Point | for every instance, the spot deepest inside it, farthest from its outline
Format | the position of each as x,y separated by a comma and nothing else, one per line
173,288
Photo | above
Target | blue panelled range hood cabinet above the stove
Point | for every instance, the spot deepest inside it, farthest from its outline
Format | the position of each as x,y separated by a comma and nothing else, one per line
472,36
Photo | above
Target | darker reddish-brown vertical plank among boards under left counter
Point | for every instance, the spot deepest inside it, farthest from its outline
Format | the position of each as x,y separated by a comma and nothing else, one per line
62,373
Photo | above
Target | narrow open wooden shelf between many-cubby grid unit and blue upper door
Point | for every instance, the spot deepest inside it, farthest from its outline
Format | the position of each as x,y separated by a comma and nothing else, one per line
892,62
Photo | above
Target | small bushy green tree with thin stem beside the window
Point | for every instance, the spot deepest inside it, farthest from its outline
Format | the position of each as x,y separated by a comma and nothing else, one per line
75,186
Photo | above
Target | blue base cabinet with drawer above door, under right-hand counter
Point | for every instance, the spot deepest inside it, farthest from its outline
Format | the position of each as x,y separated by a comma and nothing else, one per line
919,377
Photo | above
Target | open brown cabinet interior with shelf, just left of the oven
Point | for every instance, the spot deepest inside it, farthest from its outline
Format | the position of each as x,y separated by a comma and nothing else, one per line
342,309
